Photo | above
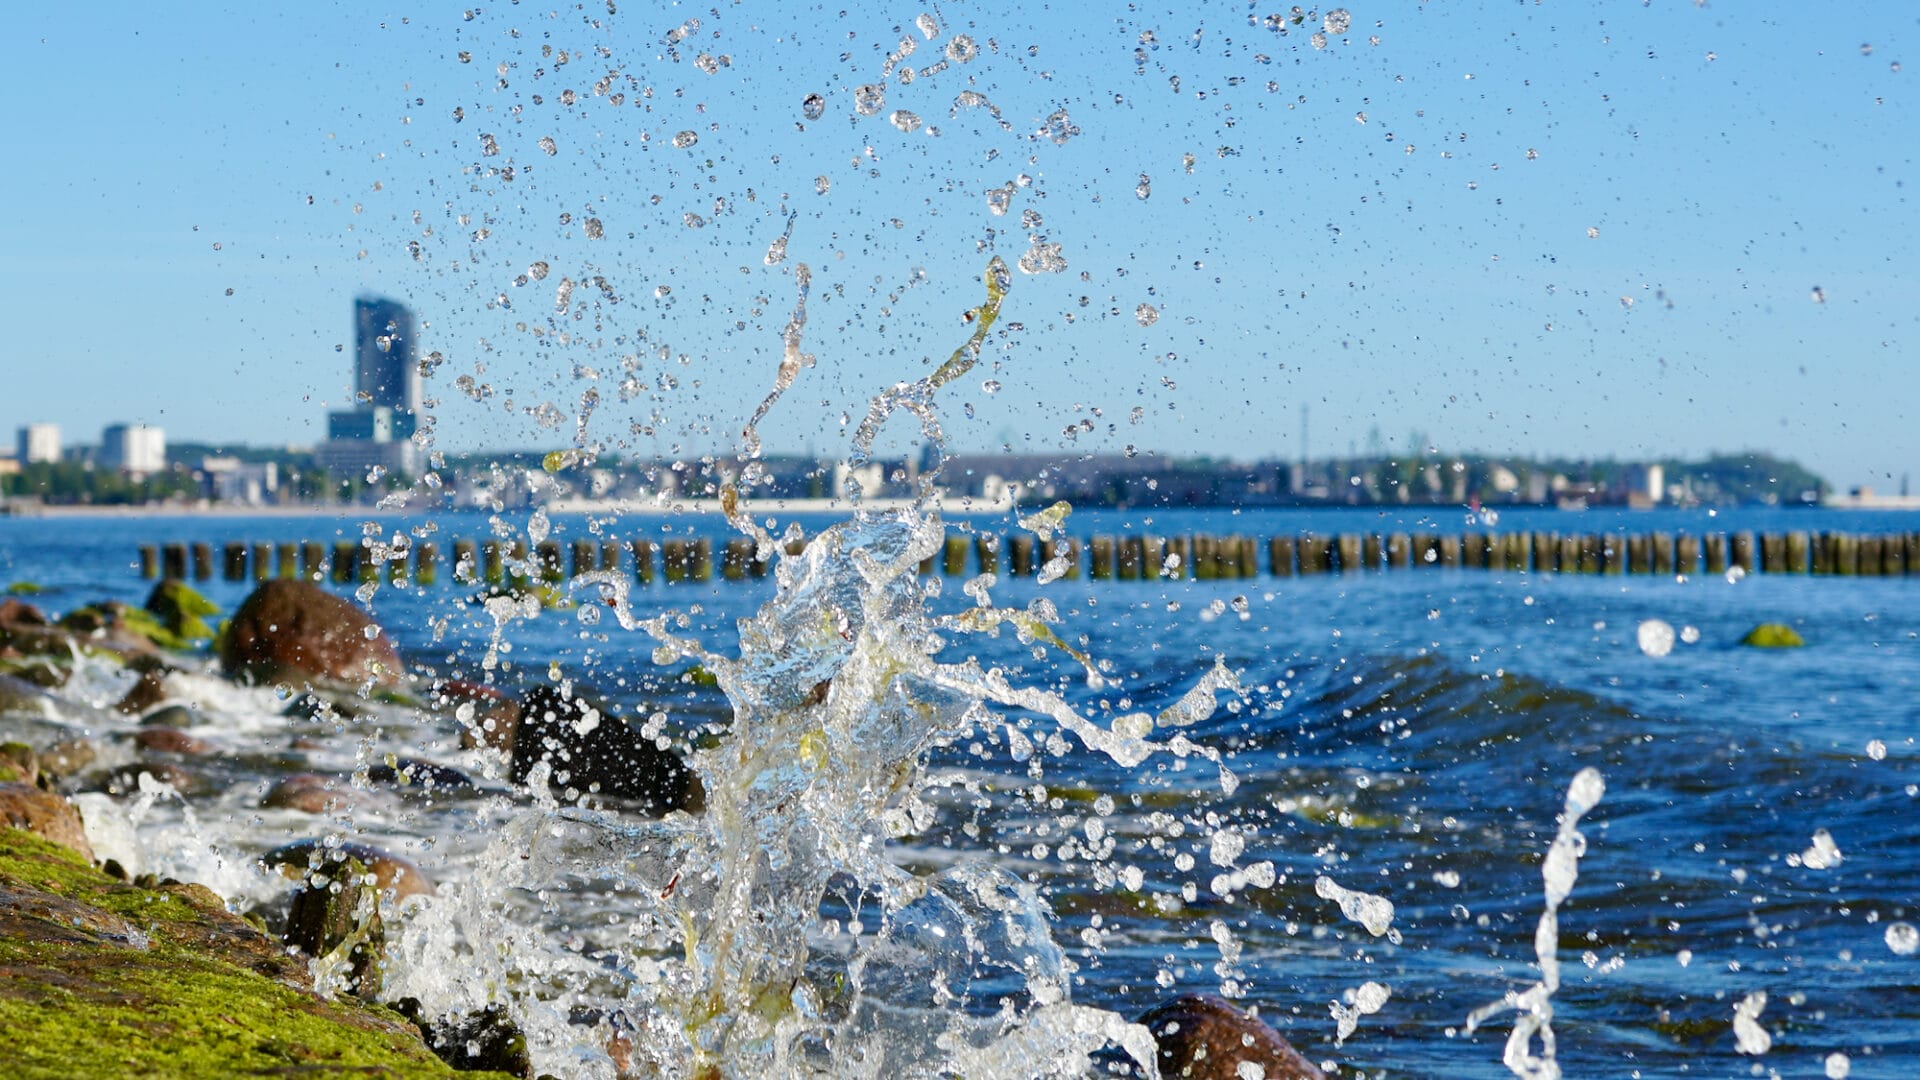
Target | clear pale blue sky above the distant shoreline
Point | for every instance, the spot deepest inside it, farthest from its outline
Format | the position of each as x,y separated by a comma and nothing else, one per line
1591,230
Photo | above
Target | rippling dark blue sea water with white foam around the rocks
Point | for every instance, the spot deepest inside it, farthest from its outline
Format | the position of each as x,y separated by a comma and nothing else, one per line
1406,735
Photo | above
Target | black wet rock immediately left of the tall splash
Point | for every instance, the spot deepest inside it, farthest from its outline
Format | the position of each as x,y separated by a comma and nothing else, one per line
592,750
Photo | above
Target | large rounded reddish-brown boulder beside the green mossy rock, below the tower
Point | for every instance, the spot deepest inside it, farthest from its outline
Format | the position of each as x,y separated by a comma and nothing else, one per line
291,631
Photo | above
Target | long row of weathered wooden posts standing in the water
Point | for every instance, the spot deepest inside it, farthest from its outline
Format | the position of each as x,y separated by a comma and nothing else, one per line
1124,558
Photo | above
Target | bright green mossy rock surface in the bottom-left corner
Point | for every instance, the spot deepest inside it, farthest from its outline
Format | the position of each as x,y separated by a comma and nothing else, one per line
107,979
